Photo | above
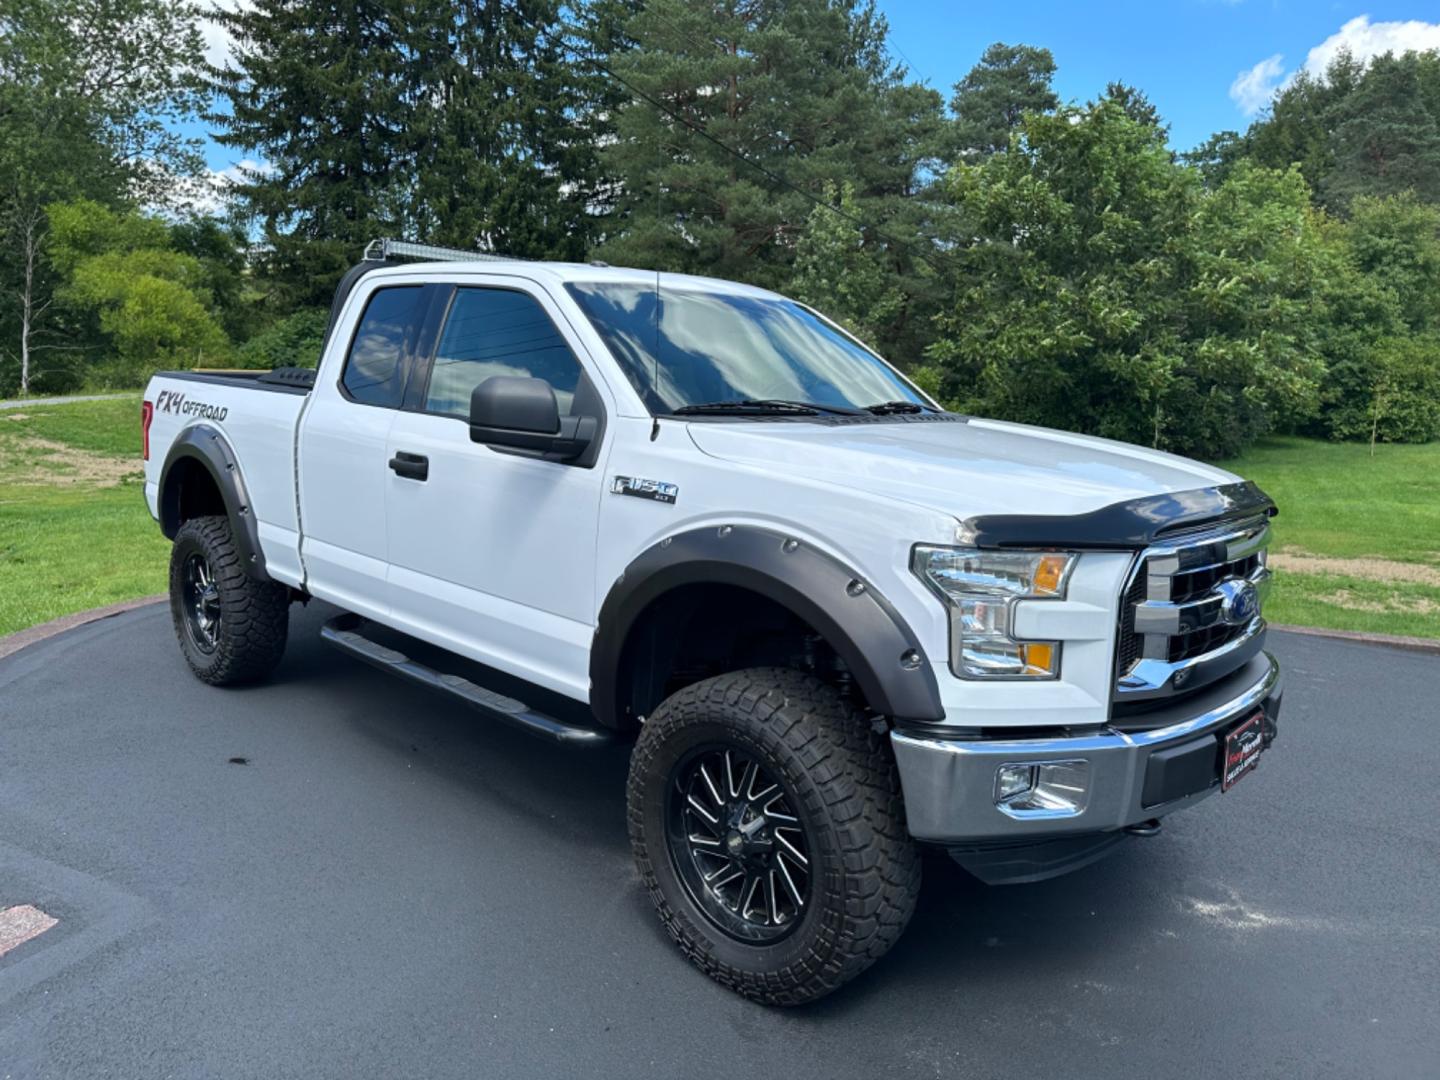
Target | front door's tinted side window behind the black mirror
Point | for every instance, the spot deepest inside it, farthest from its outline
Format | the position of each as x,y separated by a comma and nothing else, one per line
499,332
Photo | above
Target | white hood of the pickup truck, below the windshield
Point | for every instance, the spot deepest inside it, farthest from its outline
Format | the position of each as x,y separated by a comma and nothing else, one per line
964,467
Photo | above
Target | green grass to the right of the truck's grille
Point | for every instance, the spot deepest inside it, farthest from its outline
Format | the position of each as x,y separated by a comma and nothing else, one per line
1364,516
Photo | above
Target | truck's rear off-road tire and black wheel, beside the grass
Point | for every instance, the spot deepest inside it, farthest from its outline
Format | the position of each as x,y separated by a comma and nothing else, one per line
231,627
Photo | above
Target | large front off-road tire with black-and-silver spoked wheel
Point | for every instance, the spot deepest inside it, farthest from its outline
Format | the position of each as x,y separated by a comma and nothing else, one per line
768,824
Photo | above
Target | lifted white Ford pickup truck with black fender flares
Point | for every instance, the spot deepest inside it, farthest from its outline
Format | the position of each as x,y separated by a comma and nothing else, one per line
836,620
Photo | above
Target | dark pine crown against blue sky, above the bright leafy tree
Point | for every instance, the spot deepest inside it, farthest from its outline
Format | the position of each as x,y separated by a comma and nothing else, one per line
991,100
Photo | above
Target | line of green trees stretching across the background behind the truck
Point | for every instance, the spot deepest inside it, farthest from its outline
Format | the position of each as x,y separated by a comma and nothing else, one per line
1022,257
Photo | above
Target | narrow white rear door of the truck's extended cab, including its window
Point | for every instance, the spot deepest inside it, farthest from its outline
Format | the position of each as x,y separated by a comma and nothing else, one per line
342,462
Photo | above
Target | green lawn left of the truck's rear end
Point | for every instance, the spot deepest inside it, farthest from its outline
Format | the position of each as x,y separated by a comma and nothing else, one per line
74,528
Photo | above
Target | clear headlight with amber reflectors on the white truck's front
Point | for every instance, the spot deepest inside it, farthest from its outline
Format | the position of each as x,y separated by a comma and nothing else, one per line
981,590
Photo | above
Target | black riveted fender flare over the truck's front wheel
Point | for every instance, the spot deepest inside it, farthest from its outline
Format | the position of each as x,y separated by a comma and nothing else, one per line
866,631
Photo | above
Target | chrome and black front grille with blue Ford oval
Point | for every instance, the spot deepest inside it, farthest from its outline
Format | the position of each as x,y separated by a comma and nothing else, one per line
1179,590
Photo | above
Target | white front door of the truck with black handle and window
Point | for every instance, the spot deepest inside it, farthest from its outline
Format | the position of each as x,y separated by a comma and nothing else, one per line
493,554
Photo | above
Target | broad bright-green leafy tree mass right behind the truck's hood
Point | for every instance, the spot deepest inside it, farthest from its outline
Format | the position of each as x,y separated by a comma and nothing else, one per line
1101,289
